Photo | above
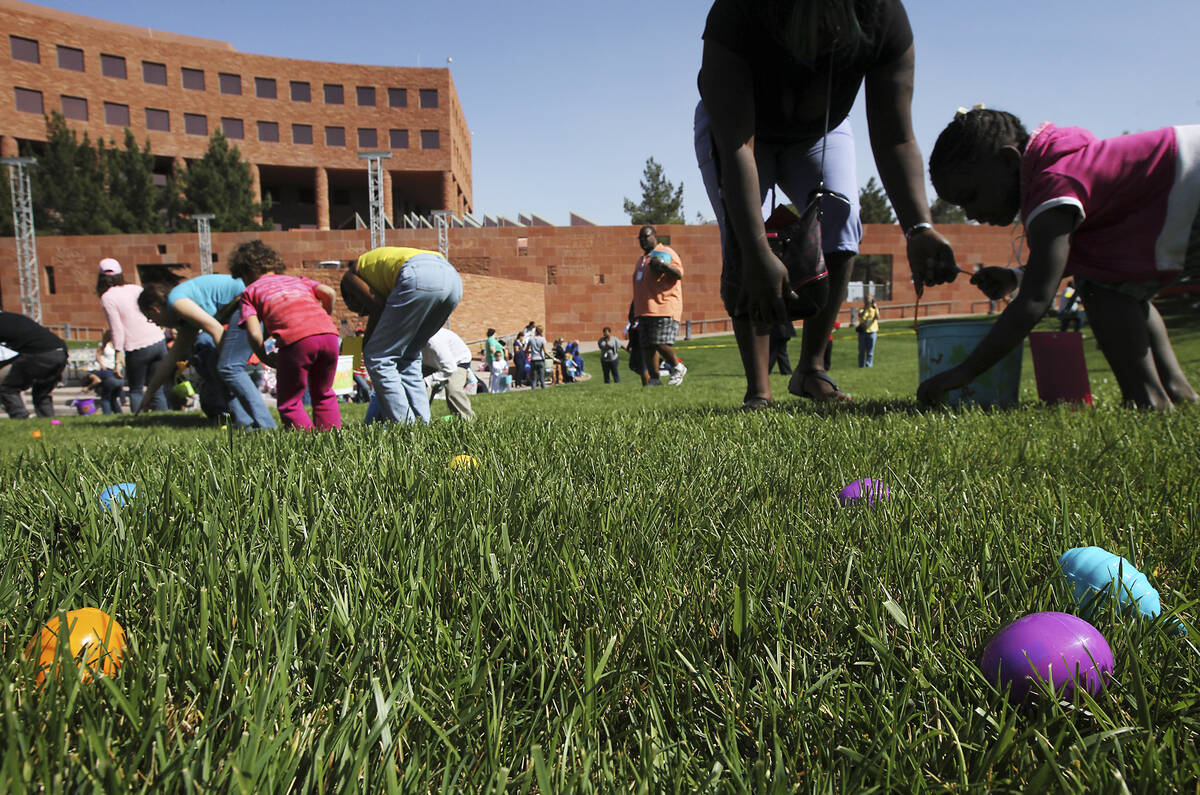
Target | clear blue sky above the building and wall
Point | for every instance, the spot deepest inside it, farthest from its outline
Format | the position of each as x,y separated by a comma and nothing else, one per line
567,100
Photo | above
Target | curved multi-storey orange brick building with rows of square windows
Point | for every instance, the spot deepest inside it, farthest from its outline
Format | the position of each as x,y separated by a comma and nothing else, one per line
301,124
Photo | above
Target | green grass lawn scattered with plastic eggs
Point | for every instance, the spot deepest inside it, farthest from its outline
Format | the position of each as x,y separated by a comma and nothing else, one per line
637,590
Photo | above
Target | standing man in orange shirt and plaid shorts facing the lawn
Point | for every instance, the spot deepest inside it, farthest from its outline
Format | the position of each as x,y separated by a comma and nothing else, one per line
658,306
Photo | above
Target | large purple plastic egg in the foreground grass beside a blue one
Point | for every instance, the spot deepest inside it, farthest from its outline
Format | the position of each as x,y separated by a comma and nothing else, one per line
1057,648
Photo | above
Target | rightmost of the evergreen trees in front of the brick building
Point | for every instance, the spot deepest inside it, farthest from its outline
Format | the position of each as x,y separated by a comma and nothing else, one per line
220,184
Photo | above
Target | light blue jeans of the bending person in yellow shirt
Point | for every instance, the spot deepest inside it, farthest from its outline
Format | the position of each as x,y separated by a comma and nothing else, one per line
428,291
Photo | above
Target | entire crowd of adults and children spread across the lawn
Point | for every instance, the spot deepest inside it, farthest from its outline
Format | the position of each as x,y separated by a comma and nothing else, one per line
777,83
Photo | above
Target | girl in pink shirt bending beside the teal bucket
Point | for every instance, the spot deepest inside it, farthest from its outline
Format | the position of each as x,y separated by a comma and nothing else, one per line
1121,216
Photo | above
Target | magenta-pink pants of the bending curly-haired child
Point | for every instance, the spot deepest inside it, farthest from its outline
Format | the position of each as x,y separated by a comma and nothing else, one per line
311,362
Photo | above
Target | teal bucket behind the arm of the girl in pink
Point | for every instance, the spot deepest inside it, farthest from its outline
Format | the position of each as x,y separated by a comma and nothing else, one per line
943,345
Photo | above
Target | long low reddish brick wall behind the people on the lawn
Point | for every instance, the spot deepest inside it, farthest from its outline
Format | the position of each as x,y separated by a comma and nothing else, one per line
573,280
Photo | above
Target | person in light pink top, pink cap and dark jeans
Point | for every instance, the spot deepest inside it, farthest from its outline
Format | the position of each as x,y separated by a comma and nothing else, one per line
140,344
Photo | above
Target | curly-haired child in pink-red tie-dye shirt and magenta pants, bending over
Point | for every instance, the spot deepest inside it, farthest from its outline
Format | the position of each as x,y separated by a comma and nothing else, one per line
297,313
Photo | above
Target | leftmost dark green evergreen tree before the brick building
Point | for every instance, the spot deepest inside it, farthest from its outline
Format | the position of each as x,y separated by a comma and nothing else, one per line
69,184
